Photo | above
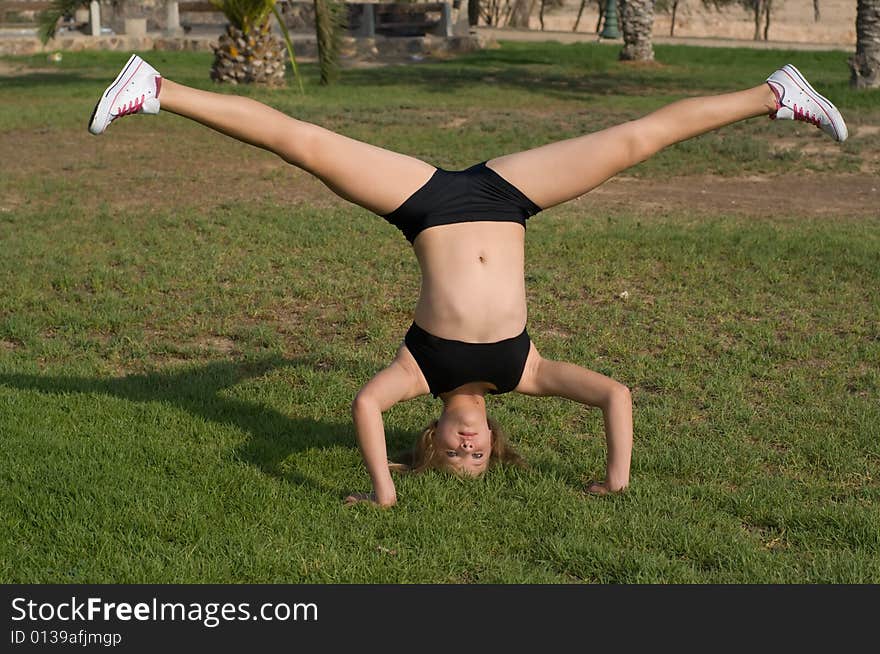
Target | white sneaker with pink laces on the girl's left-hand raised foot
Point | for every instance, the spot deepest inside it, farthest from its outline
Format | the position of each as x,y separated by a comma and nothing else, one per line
134,91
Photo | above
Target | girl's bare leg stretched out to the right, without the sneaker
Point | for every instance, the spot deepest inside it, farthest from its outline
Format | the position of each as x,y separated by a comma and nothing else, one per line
562,171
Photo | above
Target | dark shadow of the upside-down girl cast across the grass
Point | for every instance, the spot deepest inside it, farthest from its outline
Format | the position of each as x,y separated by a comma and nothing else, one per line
273,436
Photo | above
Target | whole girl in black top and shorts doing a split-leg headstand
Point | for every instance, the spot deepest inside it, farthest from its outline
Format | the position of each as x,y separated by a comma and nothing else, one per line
467,228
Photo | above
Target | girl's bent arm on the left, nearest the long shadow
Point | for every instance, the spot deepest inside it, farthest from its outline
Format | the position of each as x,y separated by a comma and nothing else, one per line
400,381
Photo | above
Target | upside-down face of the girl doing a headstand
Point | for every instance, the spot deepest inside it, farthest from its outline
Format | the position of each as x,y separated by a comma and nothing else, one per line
463,440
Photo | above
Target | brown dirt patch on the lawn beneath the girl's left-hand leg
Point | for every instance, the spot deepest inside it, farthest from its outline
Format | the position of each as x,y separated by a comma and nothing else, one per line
125,174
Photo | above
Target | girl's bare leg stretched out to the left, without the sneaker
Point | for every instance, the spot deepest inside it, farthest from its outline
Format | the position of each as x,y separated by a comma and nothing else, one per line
376,179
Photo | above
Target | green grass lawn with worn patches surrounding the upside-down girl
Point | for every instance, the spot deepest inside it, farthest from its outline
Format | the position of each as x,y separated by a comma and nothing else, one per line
176,369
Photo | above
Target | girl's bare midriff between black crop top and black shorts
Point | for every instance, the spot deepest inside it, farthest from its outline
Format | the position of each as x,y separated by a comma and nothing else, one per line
473,283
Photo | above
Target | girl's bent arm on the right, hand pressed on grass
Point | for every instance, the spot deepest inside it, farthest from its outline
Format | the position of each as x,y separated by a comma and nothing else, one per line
543,377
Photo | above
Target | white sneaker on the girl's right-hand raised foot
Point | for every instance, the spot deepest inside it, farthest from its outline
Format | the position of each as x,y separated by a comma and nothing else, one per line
797,100
